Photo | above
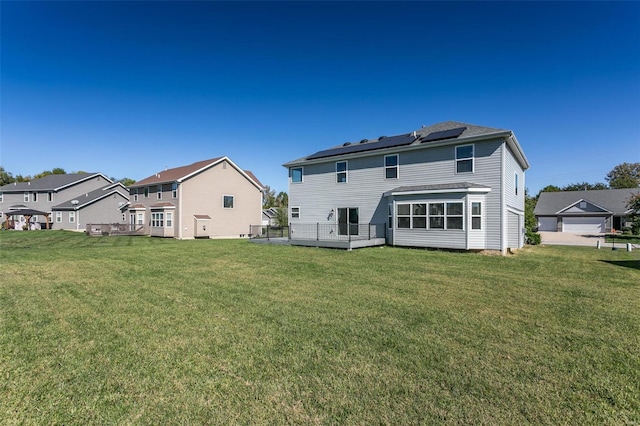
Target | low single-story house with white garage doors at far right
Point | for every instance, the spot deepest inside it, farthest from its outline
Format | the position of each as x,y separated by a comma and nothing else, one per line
583,212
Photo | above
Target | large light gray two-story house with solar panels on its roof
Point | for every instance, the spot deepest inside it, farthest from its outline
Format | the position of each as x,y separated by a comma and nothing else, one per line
450,185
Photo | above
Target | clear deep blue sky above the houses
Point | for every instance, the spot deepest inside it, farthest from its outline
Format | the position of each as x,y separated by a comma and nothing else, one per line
129,88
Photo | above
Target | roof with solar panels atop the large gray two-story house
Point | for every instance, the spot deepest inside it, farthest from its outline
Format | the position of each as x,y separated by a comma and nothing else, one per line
444,133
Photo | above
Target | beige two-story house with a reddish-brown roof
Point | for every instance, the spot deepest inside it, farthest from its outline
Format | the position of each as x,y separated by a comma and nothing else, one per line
208,199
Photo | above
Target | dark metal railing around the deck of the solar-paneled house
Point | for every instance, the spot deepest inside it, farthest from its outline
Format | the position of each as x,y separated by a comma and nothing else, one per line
337,232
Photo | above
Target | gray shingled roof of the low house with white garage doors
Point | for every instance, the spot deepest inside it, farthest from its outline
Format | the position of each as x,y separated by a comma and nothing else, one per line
613,200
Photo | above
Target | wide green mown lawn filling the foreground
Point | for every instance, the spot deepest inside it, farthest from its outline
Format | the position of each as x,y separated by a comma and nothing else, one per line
135,330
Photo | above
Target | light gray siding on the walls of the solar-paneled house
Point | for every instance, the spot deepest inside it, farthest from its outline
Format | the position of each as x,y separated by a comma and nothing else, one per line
319,193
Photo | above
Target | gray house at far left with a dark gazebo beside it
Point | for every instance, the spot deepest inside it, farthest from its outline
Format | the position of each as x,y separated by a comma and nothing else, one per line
71,201
